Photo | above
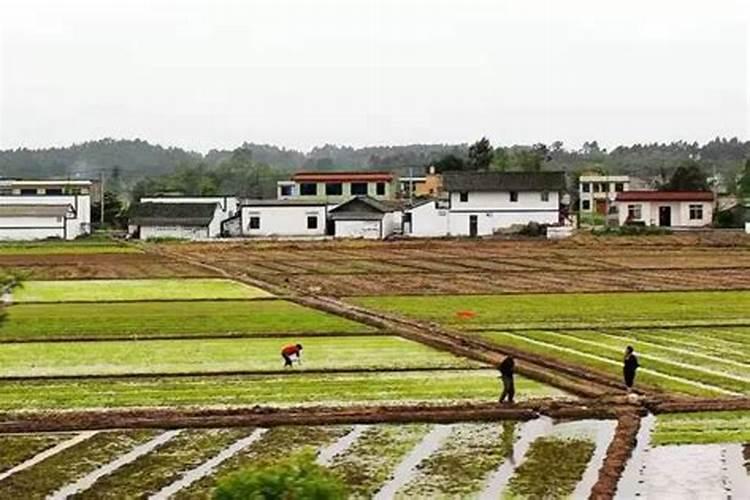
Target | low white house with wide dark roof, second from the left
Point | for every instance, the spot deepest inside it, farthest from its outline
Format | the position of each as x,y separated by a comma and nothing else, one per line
192,221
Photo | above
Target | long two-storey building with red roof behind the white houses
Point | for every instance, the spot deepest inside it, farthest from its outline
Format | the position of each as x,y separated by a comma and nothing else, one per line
337,186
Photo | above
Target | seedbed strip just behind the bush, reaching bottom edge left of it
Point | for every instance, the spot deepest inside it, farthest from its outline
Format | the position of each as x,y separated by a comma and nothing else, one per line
275,444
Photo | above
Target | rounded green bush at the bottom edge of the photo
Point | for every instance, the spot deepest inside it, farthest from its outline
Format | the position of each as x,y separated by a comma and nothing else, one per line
295,478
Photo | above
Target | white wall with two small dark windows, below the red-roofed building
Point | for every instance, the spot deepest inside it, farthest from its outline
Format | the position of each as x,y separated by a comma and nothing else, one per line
284,220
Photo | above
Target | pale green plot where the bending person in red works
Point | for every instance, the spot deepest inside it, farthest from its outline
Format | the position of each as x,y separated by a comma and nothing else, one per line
217,355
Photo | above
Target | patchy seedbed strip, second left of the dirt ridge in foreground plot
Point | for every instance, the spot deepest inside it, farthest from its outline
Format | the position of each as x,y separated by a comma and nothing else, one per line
460,467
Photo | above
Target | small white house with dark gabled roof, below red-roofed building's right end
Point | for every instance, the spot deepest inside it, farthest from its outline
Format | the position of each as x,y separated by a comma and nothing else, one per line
365,217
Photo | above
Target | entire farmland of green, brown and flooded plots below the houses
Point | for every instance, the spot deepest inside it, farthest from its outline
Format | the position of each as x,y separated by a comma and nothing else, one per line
99,327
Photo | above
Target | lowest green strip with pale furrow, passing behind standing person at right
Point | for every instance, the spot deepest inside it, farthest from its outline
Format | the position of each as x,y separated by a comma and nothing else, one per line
608,365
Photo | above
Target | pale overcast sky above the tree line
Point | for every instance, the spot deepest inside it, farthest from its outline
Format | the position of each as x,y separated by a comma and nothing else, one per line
208,74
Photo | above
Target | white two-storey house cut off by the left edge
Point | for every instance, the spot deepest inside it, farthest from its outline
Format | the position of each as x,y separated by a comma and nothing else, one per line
39,209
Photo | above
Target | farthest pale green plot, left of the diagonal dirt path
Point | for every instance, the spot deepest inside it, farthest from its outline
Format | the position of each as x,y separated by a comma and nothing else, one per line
134,289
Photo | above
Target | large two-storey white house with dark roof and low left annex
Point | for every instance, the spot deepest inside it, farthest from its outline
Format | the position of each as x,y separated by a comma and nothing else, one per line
481,203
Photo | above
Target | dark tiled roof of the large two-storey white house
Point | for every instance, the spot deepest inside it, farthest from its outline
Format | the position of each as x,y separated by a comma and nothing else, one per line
503,181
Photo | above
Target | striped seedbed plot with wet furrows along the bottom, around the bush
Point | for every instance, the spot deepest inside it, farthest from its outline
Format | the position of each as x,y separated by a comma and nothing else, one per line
375,457
